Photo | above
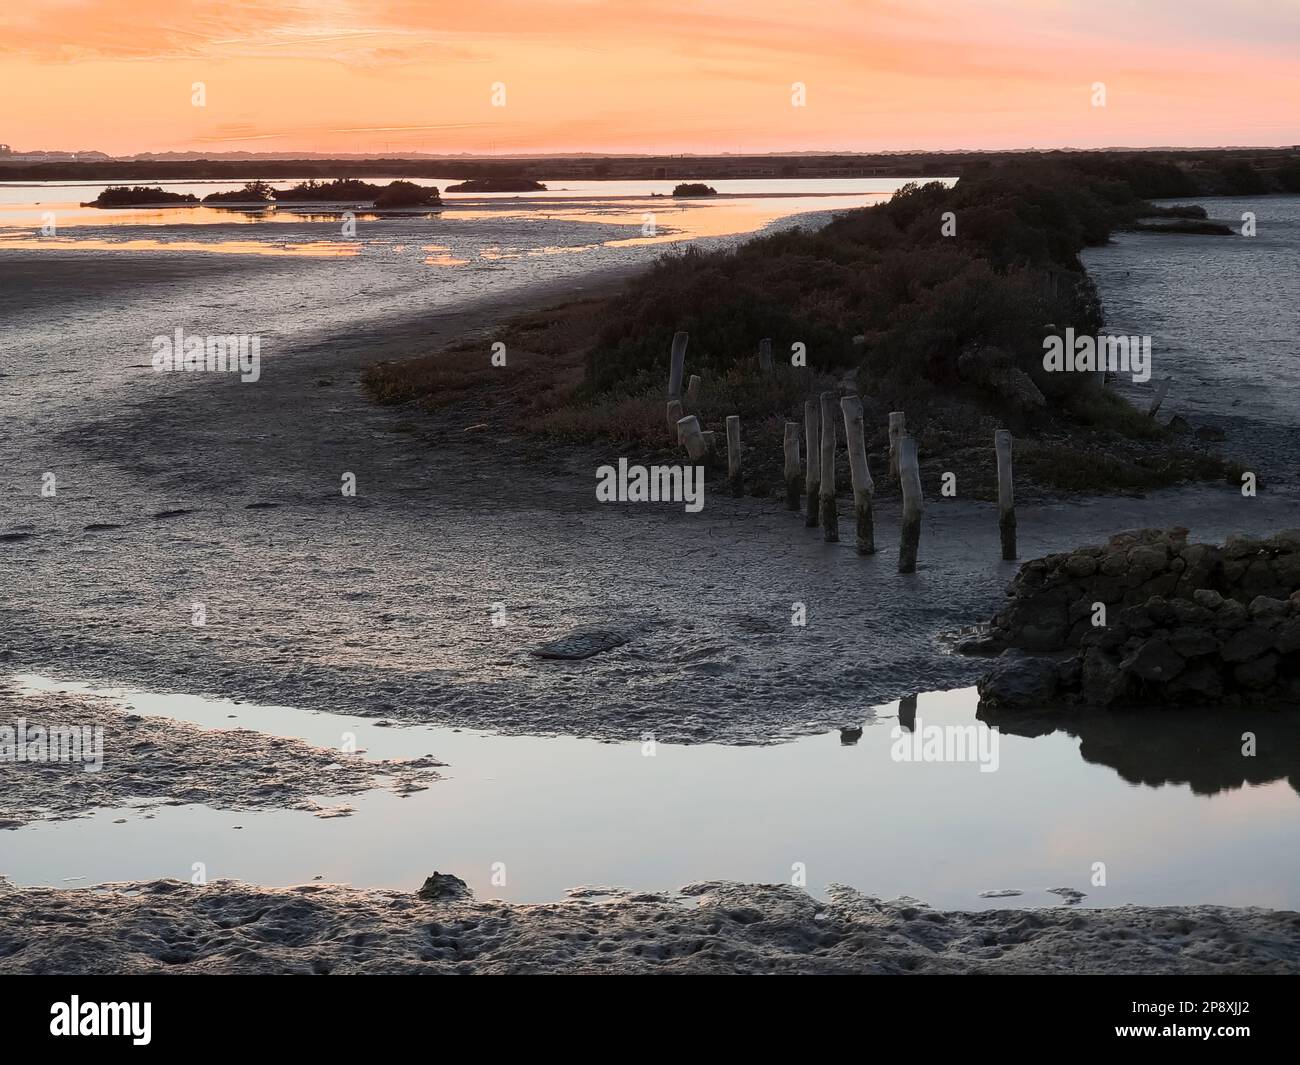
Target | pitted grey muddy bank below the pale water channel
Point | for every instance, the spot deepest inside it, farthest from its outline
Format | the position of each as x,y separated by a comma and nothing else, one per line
228,928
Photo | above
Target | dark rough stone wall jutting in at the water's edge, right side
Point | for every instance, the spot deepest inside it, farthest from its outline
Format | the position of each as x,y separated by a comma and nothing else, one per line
1149,620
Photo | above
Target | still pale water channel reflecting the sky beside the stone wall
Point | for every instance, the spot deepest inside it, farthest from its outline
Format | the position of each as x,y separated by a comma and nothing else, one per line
562,812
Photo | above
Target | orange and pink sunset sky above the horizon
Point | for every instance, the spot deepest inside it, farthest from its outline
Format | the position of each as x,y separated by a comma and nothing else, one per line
645,76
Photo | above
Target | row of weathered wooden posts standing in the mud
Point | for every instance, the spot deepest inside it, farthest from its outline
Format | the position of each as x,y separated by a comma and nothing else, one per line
820,441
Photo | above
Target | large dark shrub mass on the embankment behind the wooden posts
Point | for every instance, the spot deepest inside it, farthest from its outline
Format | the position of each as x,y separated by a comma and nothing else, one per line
916,293
